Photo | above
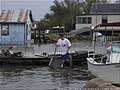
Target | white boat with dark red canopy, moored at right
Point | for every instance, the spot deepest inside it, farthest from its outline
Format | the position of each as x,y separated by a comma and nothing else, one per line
107,67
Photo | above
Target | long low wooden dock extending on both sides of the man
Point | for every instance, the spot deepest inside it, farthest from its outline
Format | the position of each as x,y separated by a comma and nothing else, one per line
78,57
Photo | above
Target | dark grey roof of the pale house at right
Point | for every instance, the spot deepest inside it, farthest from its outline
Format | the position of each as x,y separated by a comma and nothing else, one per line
105,8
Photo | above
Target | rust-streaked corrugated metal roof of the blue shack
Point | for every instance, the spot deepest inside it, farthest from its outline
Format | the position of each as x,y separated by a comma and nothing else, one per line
14,16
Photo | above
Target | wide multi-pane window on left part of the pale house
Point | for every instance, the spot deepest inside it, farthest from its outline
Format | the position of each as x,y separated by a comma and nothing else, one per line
84,20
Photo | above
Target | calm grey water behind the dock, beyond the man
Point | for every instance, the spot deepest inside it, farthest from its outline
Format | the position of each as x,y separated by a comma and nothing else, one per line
82,46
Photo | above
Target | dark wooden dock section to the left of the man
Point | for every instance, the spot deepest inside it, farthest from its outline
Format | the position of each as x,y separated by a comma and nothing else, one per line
24,60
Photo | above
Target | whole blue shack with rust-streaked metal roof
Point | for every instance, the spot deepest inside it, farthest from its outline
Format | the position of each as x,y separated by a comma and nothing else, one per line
15,27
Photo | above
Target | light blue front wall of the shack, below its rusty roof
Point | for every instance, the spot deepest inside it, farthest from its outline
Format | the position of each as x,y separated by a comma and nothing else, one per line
16,35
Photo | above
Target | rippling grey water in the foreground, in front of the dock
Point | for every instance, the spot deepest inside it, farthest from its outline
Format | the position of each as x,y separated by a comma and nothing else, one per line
39,78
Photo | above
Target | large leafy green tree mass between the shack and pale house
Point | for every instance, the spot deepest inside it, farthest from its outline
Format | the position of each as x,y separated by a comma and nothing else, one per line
63,13
